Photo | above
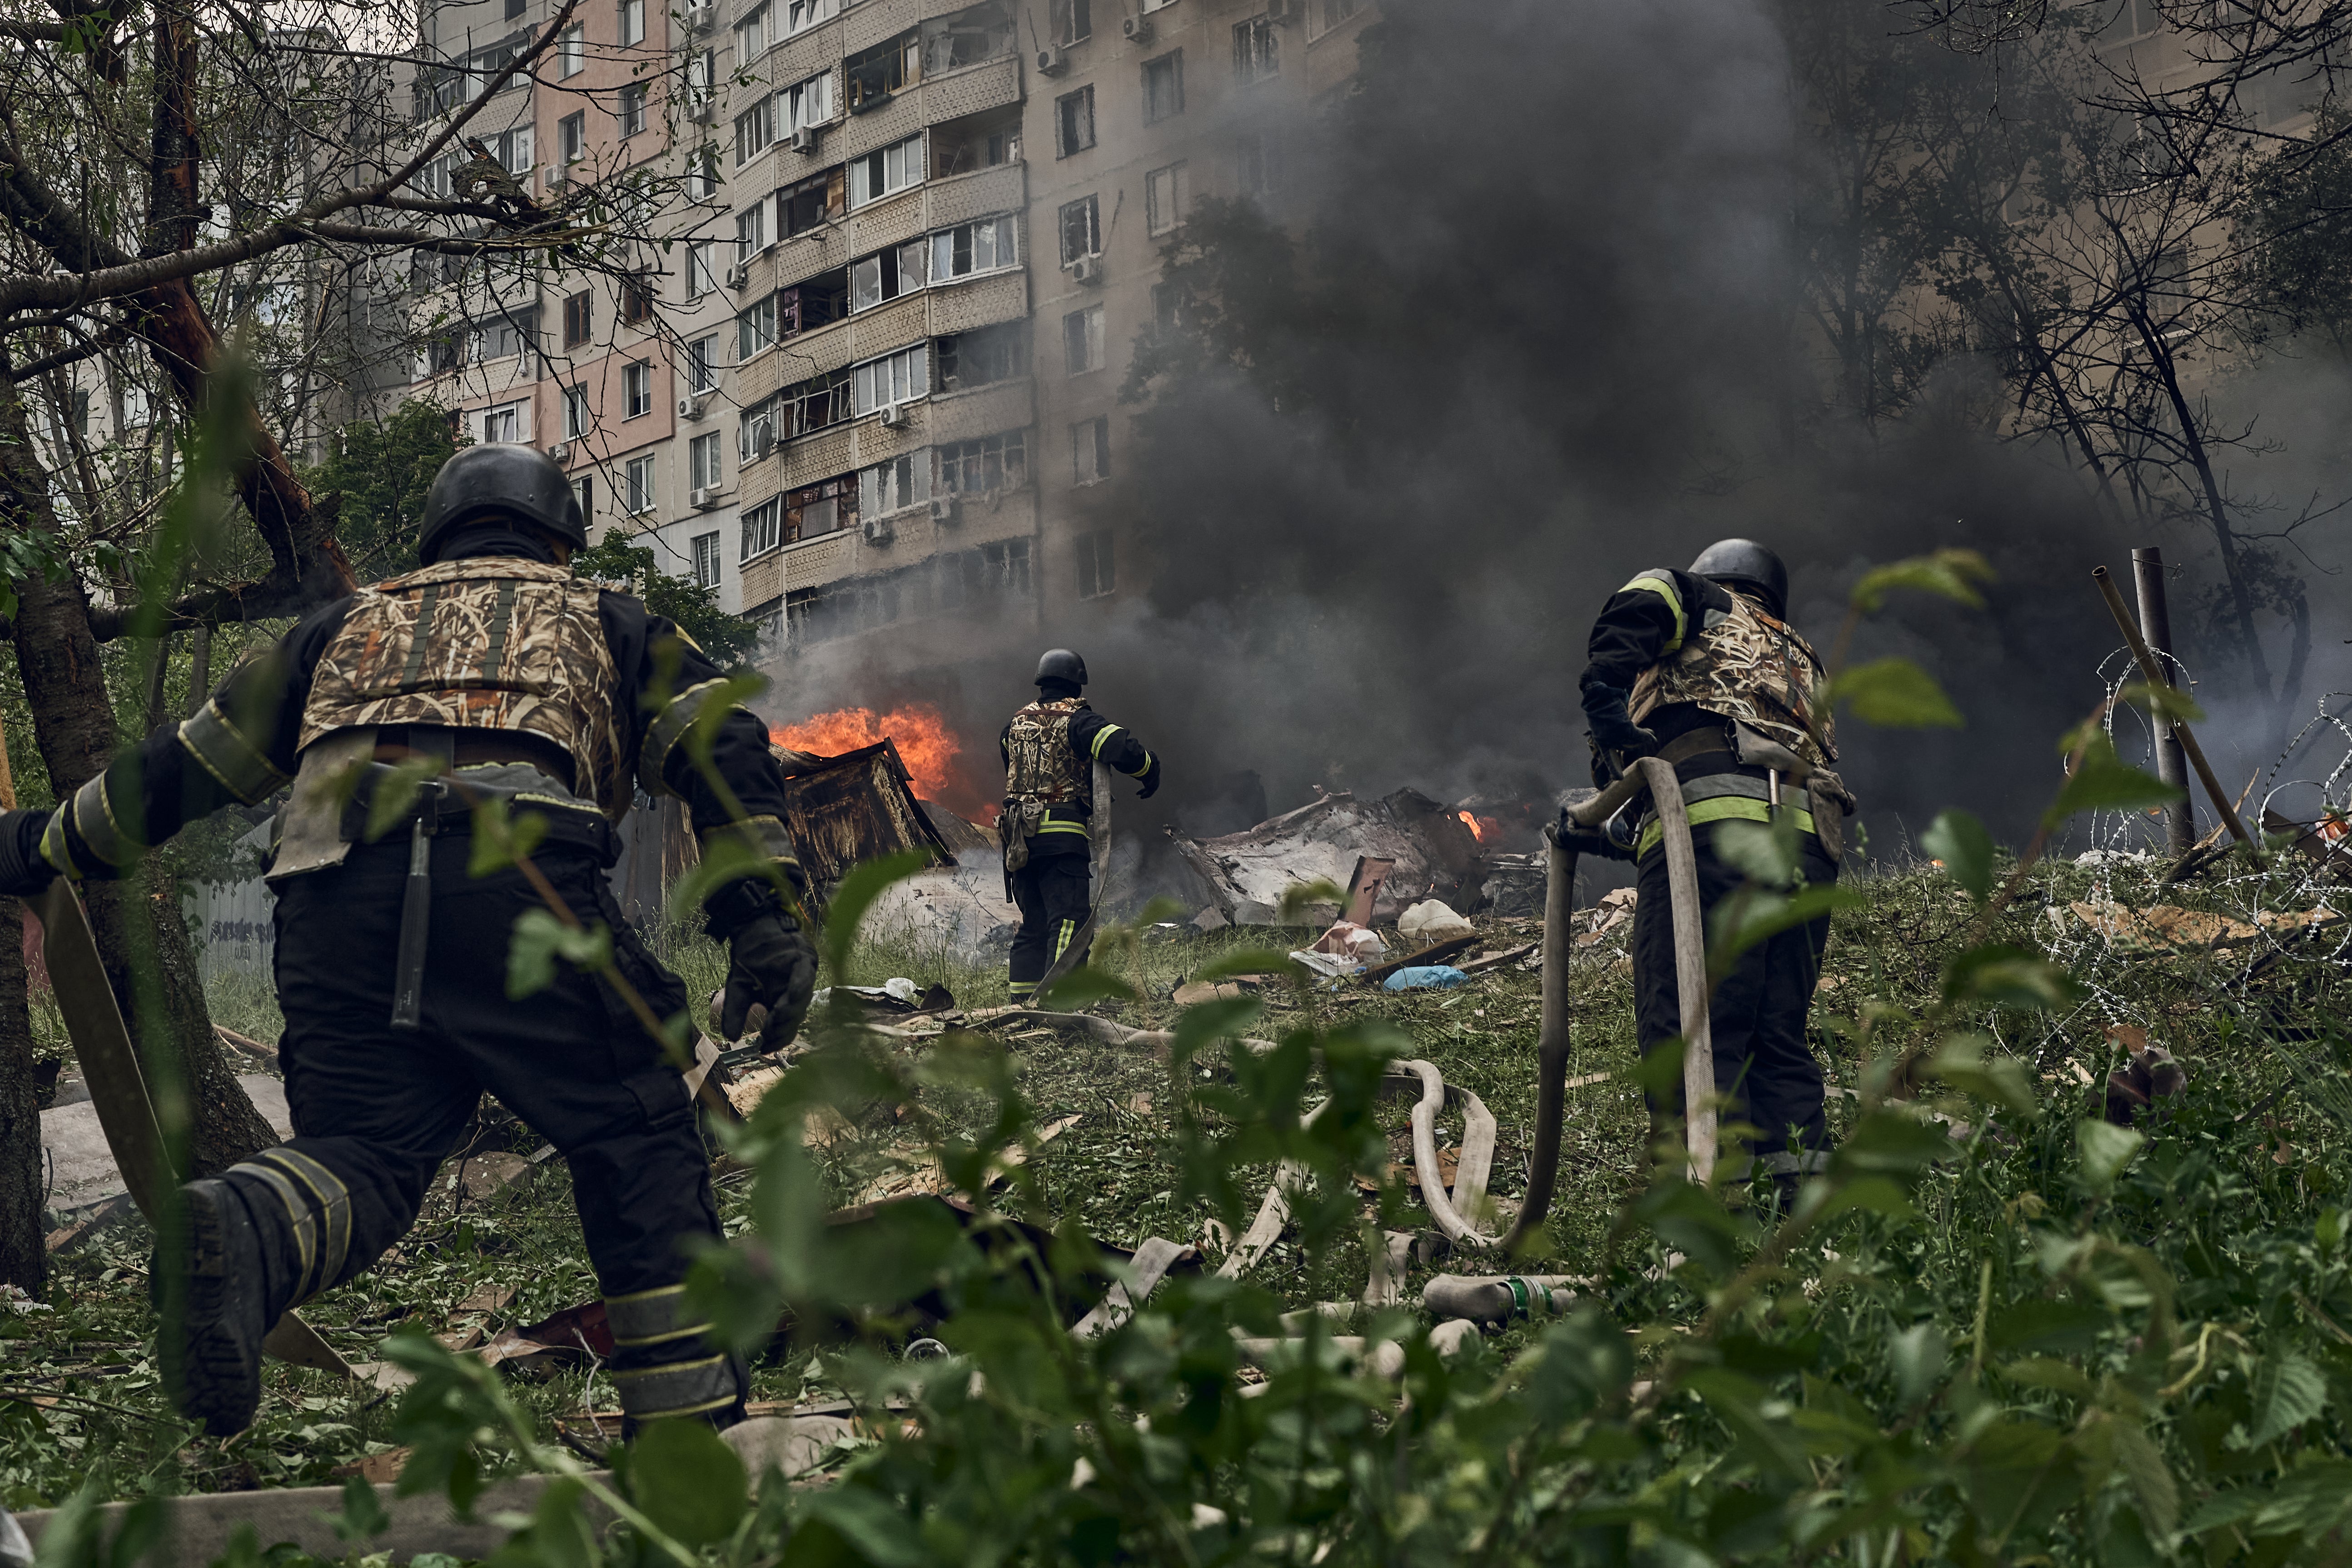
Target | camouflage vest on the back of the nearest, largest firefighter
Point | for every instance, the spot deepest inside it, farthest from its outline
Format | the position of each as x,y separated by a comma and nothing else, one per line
488,643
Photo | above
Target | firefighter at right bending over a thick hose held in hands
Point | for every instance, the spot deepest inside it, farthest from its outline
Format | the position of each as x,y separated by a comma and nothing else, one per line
1704,671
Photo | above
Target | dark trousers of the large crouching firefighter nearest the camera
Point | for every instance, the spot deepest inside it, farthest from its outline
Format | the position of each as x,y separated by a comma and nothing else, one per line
382,1108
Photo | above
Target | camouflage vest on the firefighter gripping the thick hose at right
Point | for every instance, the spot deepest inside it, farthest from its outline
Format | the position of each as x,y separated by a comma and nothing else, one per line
1753,669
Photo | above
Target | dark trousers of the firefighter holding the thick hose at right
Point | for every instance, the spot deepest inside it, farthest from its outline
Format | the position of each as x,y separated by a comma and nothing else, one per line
1763,1061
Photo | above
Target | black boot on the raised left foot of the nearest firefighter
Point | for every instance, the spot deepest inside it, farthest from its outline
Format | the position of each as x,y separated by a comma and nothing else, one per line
211,1336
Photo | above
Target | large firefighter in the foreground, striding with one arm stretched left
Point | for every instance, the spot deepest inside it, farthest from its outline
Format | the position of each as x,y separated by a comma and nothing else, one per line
512,683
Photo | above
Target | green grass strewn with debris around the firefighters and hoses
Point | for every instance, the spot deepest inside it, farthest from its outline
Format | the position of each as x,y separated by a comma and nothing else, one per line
81,1395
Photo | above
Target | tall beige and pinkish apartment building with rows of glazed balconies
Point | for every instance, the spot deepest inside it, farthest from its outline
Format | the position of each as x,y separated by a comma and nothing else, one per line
869,375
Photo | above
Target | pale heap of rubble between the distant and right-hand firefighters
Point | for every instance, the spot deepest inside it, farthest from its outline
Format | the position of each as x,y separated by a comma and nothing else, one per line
1431,855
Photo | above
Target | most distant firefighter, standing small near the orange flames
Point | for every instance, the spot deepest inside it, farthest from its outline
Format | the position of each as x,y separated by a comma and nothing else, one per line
1050,753
